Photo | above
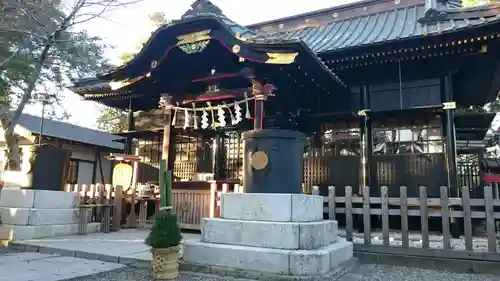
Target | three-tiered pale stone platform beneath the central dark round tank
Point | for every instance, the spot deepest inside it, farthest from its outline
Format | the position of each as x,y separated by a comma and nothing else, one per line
270,237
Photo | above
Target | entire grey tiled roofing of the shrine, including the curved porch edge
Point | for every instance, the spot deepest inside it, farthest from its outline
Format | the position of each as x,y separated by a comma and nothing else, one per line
405,22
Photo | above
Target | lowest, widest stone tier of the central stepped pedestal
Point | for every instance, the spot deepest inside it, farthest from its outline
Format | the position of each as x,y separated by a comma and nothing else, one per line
277,261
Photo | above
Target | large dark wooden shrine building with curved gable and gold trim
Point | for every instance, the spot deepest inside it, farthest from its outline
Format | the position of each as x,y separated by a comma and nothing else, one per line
381,88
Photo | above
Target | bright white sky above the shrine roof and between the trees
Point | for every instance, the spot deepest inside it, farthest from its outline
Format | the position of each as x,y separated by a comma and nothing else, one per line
127,27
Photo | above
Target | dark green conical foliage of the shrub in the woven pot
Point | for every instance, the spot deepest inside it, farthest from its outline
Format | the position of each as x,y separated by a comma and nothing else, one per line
166,231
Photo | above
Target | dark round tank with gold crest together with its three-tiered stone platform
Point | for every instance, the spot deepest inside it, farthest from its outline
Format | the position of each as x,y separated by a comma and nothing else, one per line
280,235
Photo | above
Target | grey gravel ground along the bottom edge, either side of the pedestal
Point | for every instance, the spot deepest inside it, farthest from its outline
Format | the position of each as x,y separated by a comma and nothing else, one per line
366,272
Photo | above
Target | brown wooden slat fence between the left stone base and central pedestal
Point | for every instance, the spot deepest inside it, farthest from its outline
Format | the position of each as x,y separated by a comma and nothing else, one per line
112,207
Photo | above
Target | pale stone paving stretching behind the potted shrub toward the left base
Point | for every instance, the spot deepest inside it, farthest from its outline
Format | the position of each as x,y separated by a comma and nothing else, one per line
125,246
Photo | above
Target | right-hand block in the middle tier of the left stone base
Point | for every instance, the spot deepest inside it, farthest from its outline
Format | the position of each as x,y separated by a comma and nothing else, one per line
53,216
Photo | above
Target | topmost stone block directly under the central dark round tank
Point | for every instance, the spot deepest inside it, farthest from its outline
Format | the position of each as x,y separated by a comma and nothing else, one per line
272,207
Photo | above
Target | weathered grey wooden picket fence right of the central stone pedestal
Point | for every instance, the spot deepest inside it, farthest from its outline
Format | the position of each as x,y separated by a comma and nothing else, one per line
424,243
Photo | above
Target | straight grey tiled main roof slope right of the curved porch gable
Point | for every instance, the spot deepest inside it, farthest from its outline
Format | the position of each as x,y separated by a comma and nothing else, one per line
382,27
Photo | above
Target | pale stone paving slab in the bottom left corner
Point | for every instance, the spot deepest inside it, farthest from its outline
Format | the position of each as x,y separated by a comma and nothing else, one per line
45,267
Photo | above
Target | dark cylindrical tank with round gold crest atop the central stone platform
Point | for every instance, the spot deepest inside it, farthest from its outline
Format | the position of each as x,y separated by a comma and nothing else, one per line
273,161
